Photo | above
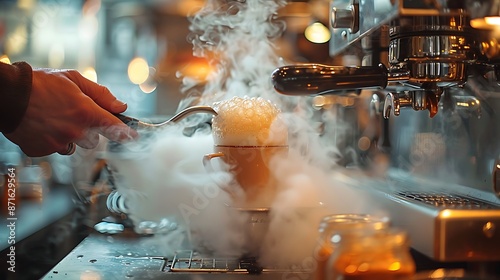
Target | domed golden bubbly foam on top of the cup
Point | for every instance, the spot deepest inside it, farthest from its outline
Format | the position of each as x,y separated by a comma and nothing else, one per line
243,121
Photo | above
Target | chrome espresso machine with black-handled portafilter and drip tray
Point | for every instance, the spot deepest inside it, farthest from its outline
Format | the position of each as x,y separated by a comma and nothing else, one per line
432,72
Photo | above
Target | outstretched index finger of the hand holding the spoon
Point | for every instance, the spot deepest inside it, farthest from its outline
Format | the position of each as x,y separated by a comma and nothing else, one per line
100,94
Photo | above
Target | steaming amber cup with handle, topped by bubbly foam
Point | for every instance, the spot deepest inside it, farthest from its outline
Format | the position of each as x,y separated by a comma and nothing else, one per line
249,137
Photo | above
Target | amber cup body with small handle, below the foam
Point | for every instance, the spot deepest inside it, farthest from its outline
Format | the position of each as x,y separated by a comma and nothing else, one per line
250,166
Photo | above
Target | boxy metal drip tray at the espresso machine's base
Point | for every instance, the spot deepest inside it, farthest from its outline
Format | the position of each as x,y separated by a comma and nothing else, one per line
446,222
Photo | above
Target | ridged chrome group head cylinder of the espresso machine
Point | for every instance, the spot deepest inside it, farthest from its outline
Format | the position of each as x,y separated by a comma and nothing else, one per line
436,50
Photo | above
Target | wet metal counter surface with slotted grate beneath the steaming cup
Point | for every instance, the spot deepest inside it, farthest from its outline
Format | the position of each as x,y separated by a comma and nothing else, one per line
126,256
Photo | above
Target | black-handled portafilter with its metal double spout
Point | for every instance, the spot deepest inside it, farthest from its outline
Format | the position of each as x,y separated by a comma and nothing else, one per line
308,79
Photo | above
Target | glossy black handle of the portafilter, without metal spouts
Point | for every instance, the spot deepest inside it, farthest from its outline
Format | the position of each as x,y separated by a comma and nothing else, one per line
310,79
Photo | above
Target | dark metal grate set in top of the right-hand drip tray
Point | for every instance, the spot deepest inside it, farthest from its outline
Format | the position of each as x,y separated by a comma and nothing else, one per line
444,200
